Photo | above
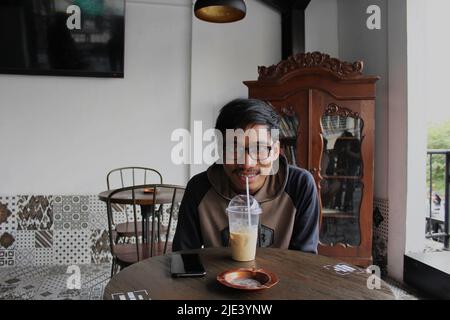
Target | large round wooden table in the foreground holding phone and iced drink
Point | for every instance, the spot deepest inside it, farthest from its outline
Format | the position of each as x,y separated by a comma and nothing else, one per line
301,276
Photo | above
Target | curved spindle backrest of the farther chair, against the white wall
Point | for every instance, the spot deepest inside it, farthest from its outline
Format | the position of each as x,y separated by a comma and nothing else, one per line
132,176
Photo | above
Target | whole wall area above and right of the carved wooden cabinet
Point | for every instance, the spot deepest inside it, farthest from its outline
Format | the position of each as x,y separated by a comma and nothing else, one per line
338,27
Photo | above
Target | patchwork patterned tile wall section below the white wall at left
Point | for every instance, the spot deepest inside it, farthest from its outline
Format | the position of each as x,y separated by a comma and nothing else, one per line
54,230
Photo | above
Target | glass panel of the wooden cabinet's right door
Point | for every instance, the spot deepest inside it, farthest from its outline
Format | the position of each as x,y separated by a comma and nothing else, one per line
341,178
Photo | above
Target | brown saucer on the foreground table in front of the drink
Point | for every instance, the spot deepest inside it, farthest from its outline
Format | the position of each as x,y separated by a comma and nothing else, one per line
248,279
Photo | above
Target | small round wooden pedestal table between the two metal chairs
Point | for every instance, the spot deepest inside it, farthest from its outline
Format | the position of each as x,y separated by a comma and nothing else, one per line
144,200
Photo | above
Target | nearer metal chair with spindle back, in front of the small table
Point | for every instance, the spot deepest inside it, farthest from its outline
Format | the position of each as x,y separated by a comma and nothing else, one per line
149,242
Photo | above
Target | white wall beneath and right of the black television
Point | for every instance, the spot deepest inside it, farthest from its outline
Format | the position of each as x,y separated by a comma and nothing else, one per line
60,135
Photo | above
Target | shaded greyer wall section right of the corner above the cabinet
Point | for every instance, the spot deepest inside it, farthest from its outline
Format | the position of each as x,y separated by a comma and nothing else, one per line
357,42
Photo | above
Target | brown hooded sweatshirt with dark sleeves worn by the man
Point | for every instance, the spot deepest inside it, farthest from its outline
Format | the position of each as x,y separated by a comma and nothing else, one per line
289,202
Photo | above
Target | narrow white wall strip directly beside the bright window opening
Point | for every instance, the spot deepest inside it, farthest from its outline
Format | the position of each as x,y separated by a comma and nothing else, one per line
398,136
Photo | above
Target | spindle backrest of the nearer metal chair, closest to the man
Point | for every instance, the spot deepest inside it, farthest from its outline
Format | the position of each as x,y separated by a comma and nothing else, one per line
160,204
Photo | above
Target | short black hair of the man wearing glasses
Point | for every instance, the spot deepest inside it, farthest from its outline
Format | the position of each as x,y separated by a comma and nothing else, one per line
240,113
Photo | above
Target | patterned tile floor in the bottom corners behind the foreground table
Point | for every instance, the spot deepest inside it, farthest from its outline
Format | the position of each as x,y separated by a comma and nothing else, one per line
51,283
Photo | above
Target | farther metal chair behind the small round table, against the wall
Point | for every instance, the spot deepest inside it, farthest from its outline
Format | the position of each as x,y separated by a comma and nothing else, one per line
128,177
